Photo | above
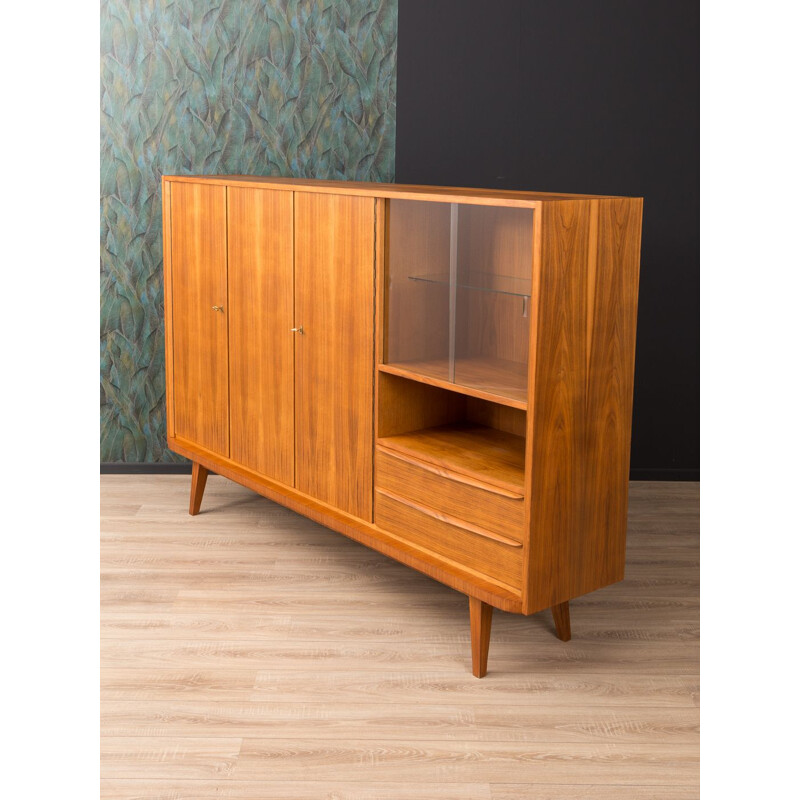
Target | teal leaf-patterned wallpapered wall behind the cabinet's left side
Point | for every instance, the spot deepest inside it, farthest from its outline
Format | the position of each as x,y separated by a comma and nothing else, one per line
283,87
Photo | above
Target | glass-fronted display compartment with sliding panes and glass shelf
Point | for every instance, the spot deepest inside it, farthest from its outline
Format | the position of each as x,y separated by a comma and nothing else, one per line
459,293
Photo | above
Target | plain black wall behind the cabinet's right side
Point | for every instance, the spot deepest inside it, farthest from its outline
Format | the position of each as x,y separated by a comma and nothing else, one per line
594,96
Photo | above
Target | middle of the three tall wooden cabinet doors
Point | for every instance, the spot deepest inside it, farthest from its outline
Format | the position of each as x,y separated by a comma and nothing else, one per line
261,305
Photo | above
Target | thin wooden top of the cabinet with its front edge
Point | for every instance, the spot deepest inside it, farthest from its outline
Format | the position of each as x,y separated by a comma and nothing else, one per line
389,190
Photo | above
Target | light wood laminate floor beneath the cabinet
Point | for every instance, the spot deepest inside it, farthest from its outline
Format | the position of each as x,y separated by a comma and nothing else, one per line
251,653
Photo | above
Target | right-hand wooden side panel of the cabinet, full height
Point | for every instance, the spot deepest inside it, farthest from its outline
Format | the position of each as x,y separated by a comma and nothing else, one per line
583,392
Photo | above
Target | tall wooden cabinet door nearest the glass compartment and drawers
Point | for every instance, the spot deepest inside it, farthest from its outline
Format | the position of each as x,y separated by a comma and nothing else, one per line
334,356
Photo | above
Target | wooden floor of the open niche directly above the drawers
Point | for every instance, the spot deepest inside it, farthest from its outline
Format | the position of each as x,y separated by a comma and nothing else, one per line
486,454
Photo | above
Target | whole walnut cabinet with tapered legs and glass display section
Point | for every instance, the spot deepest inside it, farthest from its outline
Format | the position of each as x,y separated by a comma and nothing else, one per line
444,375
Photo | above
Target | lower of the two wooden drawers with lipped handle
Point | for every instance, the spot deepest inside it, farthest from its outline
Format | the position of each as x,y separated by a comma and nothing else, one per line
424,526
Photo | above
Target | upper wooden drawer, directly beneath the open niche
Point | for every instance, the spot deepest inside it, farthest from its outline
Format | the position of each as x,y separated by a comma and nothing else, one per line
460,496
